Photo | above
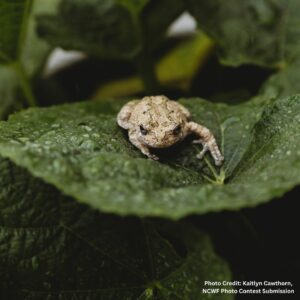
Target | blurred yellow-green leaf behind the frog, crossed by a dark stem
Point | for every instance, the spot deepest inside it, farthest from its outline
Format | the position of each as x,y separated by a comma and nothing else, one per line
175,70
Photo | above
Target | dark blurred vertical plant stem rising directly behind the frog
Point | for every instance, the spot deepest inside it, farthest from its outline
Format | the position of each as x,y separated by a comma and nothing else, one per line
147,72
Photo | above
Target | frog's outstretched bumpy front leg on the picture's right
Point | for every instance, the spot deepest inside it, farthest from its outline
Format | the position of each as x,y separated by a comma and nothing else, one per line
208,142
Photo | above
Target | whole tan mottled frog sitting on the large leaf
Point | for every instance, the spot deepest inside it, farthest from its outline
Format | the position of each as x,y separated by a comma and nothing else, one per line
157,122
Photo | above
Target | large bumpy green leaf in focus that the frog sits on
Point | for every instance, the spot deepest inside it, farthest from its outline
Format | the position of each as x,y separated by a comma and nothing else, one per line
86,155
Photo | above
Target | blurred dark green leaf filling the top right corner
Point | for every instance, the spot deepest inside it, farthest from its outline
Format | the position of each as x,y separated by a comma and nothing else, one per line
256,32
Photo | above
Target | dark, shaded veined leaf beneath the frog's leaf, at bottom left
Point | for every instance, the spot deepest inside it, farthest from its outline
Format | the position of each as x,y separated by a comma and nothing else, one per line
53,248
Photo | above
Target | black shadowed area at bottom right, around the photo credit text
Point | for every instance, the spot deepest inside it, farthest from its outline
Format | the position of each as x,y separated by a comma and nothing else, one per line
259,243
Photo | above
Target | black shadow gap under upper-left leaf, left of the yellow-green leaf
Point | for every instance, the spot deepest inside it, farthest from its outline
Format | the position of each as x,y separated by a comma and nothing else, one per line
79,81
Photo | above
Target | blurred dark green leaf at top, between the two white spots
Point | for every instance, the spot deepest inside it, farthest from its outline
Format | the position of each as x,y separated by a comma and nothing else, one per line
101,28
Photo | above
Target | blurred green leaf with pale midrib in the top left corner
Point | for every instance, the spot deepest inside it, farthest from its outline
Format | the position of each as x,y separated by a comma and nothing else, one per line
22,53
